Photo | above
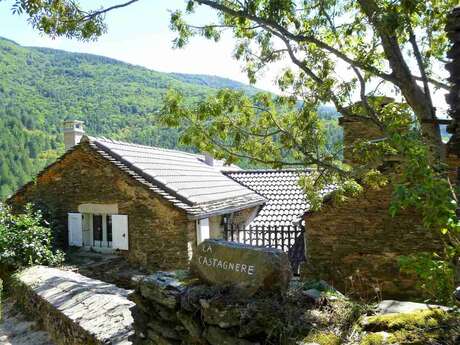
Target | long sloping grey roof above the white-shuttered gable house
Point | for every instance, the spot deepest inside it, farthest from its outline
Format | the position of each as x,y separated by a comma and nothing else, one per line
182,178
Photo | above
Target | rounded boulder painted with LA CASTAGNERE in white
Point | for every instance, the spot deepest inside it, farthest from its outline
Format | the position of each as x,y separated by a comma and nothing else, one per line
247,268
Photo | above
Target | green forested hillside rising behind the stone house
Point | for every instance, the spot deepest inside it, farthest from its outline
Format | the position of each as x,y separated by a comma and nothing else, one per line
39,88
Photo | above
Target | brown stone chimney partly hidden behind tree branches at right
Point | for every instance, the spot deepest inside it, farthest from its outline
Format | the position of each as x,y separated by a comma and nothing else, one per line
356,128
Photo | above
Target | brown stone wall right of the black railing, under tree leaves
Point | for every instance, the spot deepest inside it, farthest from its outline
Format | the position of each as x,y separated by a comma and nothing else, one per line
355,245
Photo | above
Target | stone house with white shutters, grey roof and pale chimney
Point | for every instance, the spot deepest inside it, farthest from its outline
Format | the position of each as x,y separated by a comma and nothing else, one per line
152,205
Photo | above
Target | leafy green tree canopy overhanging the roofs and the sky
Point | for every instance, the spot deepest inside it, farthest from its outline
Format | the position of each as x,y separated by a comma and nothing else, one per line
340,52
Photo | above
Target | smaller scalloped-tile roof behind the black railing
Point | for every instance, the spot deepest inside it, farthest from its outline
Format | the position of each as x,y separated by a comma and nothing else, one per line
286,203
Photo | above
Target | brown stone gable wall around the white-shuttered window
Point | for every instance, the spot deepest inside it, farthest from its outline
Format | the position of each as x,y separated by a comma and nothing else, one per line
160,235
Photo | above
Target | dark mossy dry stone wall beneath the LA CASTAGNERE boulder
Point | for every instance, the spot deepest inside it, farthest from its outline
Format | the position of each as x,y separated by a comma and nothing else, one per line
173,308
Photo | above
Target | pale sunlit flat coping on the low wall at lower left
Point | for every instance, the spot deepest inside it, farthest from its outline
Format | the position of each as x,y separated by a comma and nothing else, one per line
99,309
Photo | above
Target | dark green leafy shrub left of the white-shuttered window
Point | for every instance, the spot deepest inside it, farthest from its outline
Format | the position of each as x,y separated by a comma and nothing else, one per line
25,240
